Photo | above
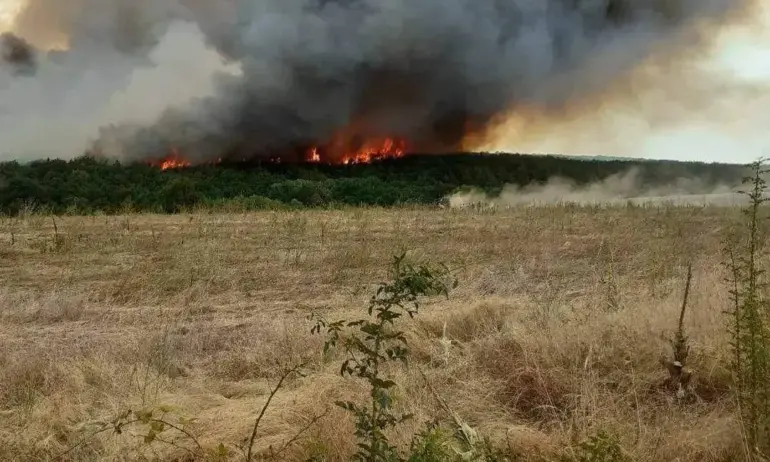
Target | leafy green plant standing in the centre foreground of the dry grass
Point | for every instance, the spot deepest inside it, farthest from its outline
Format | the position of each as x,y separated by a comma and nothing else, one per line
371,343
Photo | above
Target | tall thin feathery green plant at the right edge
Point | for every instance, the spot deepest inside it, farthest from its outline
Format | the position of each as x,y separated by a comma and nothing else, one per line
748,324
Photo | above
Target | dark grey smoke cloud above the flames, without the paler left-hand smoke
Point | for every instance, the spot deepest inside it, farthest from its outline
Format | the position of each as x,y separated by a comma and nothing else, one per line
426,70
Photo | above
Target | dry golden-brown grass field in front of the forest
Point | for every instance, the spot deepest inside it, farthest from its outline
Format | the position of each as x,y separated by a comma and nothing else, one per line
558,325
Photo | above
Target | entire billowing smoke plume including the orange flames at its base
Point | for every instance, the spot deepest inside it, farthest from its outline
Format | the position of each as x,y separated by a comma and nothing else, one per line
334,81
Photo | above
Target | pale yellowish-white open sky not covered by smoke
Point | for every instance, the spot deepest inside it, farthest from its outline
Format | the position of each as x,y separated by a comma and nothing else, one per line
735,130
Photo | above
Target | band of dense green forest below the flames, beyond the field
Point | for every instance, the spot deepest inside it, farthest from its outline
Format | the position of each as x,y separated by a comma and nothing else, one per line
86,185
